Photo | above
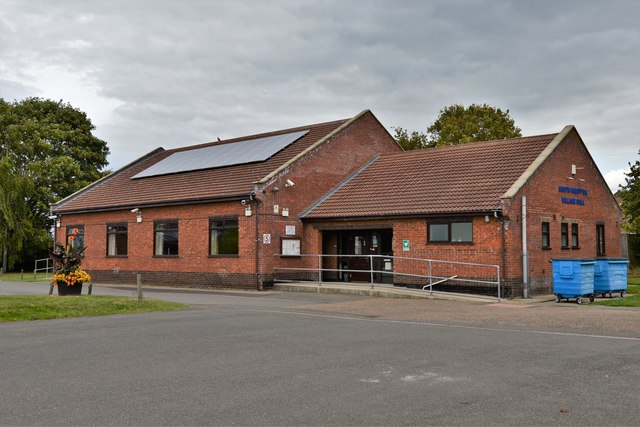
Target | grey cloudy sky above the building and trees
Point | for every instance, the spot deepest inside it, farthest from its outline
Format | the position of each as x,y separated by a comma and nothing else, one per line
175,73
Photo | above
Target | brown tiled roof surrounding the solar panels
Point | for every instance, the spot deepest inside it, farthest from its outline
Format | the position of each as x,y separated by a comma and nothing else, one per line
119,190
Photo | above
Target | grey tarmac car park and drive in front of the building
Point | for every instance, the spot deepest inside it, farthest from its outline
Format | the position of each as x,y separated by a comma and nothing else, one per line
247,358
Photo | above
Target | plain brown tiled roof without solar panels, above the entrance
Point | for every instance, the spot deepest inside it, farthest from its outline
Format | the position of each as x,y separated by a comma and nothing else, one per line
455,179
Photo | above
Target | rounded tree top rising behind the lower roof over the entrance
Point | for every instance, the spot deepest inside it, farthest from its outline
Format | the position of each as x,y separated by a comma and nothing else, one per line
459,125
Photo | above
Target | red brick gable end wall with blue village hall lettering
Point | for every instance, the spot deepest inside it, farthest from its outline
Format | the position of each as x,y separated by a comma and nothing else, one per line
544,203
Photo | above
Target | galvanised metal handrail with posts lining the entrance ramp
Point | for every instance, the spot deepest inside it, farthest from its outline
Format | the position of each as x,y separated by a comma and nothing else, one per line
371,271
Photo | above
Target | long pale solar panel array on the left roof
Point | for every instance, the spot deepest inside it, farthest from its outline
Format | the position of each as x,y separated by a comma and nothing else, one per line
234,153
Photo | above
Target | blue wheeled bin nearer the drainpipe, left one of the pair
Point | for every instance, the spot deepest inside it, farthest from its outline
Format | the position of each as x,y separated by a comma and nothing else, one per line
573,278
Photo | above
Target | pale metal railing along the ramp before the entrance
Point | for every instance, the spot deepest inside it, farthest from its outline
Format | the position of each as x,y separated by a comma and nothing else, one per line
430,273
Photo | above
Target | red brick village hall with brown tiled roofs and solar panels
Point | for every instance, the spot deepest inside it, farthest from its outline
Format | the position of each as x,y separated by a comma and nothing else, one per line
229,213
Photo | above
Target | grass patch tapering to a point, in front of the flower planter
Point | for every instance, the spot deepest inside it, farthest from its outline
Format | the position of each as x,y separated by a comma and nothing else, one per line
41,307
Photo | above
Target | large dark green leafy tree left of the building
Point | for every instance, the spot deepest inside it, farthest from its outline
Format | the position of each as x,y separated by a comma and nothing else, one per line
51,143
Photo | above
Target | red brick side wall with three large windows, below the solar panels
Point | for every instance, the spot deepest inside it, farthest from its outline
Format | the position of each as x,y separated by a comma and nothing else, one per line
193,243
